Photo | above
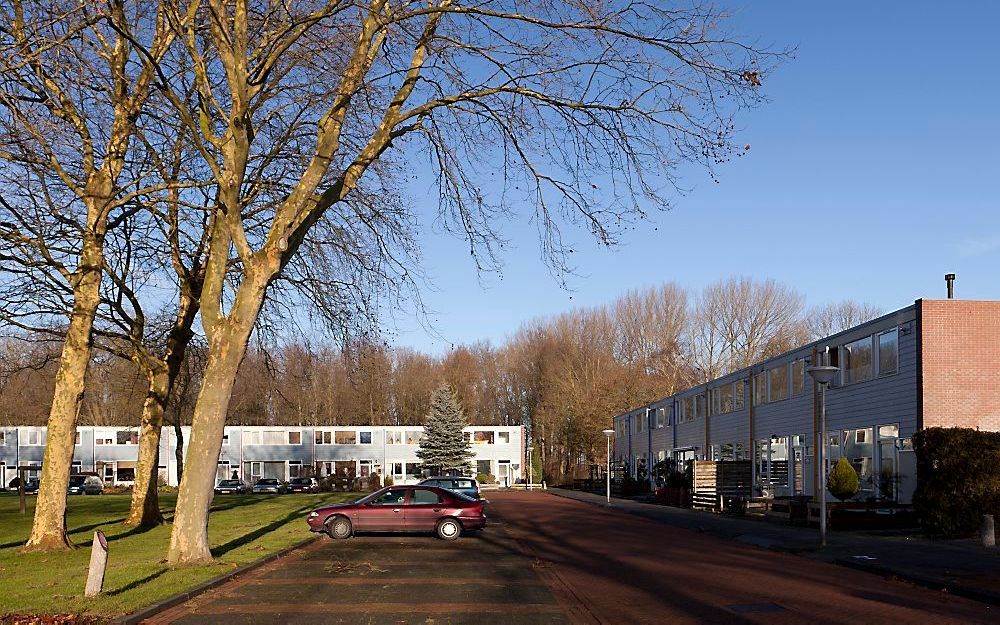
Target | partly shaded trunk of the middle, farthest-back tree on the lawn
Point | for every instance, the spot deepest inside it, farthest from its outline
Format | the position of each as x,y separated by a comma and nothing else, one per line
145,509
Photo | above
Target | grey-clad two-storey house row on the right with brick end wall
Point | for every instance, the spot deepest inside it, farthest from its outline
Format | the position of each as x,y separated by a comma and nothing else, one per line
935,363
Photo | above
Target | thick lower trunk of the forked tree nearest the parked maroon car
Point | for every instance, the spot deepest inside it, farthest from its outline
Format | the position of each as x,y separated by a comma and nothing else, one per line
227,346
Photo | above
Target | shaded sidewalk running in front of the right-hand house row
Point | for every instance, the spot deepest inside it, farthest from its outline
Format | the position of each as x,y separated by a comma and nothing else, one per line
961,567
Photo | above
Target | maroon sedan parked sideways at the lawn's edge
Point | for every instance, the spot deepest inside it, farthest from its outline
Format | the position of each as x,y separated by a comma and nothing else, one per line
401,509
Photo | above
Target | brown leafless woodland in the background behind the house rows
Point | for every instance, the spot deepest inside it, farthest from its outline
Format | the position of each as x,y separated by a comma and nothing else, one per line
563,378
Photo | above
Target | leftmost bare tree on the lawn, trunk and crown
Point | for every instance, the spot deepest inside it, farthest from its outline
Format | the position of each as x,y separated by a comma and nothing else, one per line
72,89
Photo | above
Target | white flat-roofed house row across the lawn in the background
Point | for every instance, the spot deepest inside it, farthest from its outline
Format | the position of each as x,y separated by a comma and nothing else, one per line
281,452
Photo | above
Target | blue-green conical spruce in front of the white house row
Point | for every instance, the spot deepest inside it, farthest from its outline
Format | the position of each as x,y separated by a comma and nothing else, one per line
444,447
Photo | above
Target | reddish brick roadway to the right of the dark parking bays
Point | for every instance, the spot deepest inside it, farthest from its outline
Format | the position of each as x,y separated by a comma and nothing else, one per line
626,569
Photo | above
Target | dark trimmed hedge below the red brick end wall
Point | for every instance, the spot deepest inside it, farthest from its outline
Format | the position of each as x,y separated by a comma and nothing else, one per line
958,479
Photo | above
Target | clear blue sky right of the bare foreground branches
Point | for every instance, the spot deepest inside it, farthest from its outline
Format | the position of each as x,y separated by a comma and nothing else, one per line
872,172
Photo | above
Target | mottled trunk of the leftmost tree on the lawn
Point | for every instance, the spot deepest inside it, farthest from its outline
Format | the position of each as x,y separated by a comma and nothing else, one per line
48,531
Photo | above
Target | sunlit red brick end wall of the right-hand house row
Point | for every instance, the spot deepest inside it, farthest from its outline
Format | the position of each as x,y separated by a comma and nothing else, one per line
961,363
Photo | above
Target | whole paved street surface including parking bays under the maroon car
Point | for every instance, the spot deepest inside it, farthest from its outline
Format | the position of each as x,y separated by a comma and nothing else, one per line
547,559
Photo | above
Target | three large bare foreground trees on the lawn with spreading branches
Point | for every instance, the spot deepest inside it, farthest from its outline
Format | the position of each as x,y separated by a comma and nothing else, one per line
236,162
